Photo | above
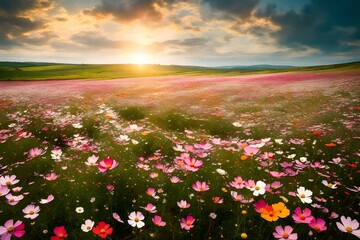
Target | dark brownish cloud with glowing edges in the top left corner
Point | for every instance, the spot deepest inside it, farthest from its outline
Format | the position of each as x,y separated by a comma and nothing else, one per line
13,26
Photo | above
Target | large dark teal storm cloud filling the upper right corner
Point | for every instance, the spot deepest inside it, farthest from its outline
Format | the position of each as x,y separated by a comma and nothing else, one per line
329,26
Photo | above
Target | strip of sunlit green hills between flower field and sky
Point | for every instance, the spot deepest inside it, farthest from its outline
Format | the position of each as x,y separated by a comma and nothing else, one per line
58,71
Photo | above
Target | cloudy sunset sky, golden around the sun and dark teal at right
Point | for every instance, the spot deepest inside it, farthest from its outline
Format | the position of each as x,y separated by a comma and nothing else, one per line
181,32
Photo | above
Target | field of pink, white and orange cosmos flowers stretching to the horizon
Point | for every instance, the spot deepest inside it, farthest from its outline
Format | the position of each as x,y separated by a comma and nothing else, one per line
167,135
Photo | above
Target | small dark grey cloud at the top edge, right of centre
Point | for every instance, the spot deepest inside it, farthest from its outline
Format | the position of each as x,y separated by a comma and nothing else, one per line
231,8
